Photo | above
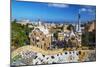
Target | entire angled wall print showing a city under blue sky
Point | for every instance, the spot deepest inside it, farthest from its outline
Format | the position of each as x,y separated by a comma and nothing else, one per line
52,33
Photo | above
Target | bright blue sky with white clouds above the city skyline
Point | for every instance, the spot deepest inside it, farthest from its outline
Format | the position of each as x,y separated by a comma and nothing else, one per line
51,11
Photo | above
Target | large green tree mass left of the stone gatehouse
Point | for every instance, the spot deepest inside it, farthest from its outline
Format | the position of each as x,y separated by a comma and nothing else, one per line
19,34
